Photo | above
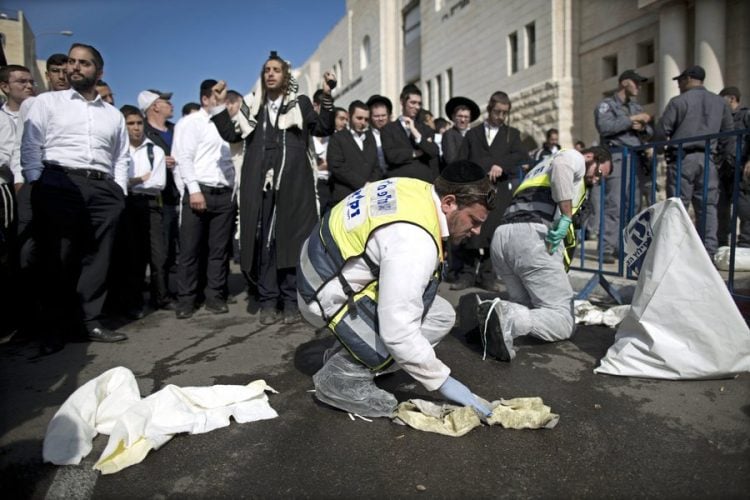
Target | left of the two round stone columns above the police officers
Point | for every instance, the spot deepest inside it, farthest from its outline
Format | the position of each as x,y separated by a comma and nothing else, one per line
672,50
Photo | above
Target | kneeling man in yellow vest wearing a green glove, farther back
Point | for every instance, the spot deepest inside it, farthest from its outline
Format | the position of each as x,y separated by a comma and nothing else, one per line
531,251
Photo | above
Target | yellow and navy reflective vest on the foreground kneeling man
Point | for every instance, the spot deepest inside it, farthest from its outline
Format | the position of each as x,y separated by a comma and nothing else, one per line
342,235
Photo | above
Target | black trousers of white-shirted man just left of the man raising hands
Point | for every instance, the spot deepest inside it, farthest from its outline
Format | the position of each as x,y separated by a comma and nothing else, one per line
210,230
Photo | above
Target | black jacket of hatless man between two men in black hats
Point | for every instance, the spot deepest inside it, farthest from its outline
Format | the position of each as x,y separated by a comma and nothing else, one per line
399,150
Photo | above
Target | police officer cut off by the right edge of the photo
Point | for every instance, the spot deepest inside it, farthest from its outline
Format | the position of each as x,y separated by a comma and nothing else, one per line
741,116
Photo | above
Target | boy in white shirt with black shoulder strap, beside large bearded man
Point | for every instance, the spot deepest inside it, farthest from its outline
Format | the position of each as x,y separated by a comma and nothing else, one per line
140,235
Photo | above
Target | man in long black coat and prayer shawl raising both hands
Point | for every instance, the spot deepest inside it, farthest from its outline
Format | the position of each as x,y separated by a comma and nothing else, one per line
278,202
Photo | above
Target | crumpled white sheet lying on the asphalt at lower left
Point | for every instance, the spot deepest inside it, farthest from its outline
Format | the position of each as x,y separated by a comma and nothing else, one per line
111,404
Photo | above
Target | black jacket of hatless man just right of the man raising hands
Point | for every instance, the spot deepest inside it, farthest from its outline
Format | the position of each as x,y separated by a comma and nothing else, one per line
351,167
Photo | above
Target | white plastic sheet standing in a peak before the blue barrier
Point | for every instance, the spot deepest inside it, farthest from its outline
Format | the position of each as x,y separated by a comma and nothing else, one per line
683,323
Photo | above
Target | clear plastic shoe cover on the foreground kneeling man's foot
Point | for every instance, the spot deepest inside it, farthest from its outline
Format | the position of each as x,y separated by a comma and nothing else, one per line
345,384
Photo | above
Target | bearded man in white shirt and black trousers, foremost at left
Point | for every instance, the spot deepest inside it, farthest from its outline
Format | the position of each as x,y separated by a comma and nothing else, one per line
74,151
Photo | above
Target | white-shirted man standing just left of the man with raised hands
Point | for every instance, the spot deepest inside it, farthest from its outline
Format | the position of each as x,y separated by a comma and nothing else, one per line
204,164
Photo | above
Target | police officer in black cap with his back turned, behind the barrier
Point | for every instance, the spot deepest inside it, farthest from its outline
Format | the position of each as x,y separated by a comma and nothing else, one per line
696,112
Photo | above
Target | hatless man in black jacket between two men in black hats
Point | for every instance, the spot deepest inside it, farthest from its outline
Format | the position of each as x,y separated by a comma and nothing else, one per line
408,143
